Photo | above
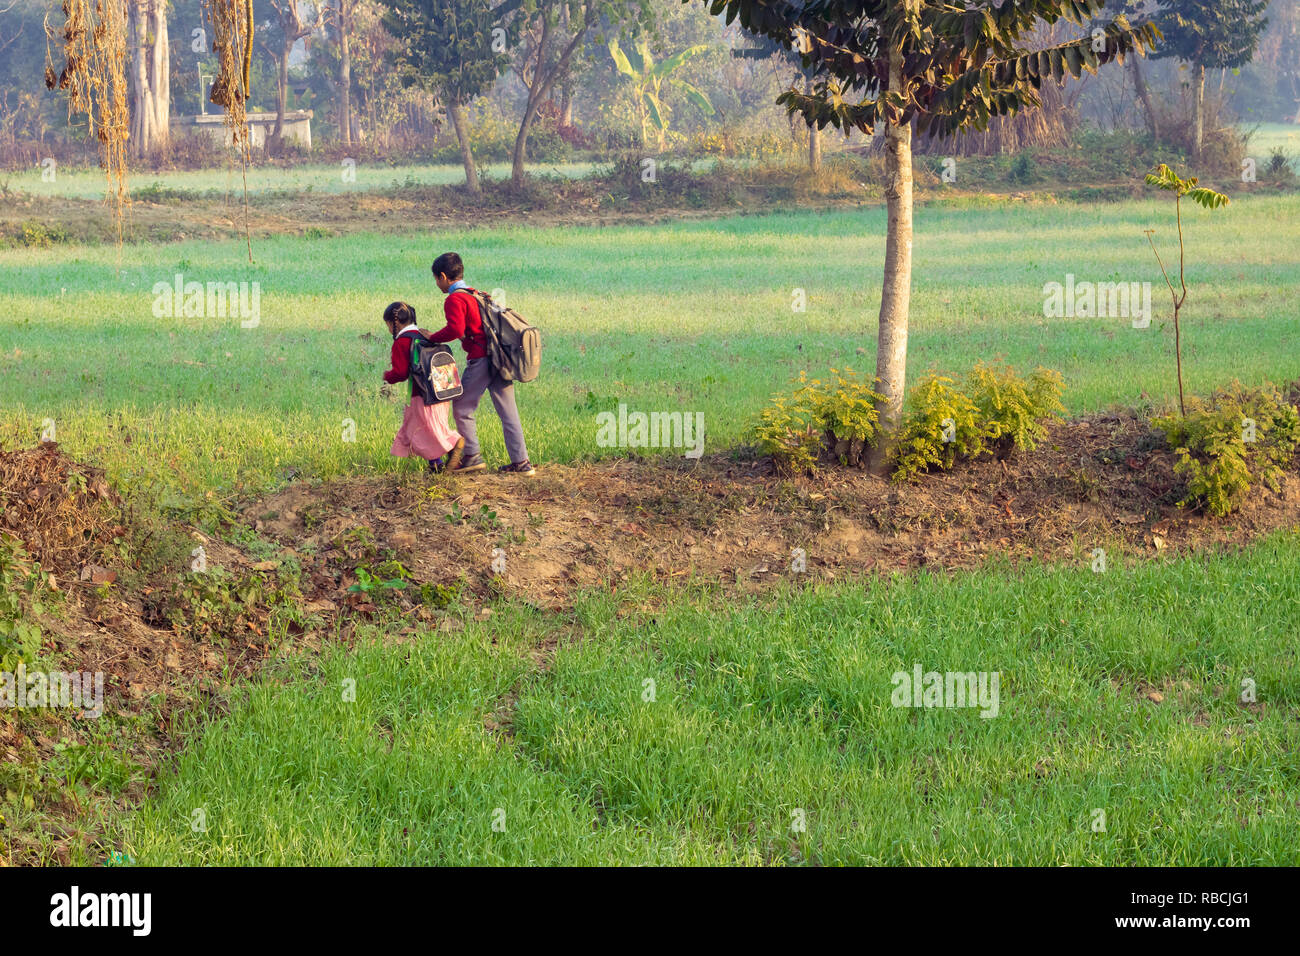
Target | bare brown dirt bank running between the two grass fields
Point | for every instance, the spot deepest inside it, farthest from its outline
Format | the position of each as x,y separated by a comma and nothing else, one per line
1099,482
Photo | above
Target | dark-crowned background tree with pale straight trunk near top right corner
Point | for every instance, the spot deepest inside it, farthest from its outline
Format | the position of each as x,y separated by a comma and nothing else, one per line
1220,34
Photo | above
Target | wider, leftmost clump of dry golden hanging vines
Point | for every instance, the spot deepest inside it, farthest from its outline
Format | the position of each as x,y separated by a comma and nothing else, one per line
94,75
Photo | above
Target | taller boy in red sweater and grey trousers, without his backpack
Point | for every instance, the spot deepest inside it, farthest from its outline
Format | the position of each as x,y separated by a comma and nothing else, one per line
466,323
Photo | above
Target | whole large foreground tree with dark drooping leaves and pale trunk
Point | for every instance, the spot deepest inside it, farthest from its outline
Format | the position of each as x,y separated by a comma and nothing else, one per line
943,67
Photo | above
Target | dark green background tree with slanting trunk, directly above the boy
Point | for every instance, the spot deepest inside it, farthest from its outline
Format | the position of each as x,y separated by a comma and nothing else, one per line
449,47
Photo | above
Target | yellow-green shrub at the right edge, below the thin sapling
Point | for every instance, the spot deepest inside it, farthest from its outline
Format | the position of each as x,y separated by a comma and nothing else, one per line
1216,451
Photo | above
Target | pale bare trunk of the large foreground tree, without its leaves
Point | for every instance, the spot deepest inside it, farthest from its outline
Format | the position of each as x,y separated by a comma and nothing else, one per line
896,293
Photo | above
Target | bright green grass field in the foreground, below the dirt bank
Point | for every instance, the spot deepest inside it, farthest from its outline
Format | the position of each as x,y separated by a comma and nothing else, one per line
772,716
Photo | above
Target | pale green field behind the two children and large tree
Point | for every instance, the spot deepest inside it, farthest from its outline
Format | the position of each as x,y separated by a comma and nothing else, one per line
694,317
